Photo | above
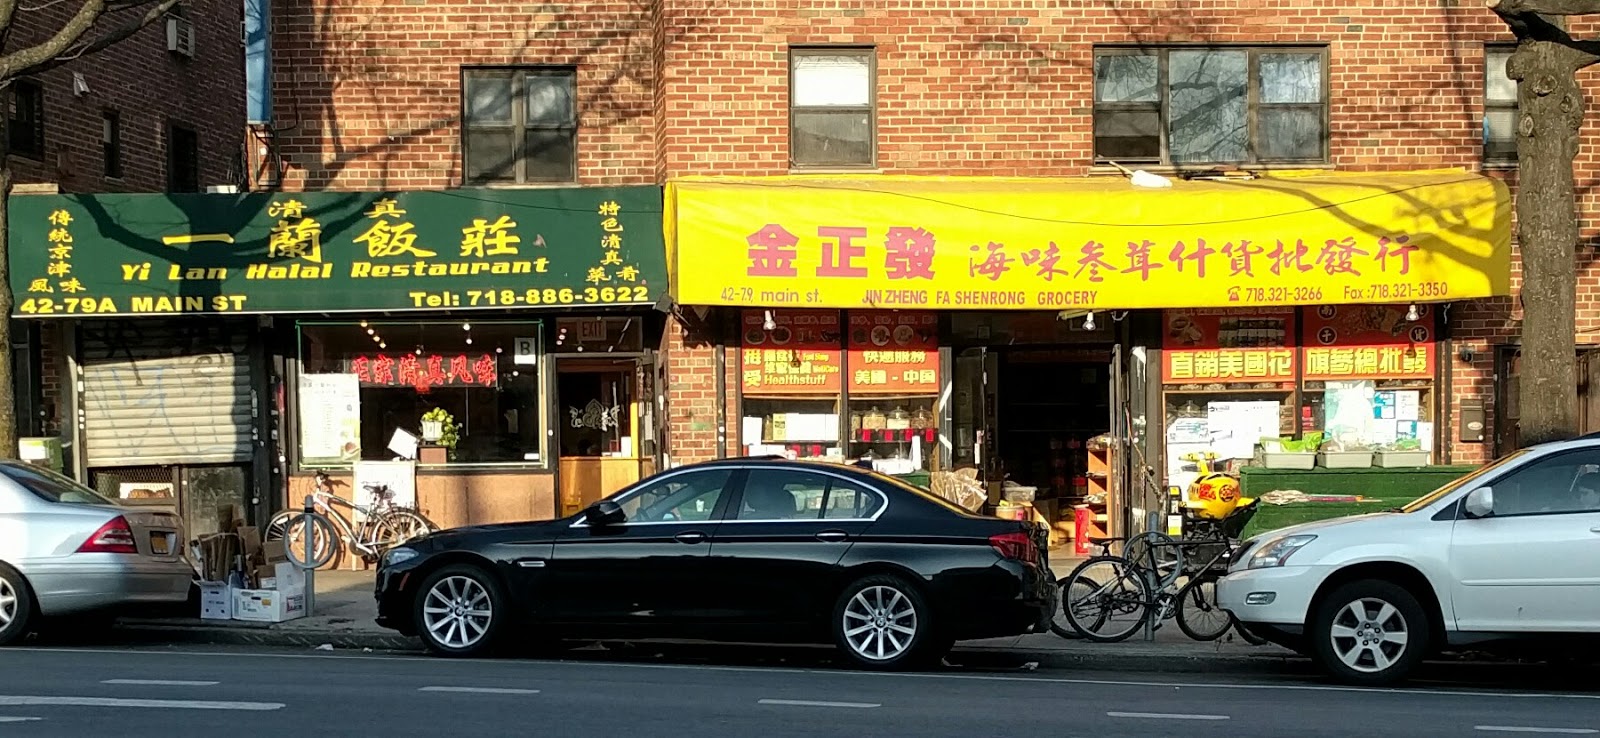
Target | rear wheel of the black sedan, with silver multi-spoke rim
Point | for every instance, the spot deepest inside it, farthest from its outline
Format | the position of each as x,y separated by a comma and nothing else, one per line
886,624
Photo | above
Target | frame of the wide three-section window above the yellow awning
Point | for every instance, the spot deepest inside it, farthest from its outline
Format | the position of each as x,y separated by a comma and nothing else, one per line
1254,105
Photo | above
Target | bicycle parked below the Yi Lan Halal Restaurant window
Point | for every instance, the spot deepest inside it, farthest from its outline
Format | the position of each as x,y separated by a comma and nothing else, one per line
383,526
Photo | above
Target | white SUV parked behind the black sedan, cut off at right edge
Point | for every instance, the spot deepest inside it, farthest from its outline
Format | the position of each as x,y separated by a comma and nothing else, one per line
1508,556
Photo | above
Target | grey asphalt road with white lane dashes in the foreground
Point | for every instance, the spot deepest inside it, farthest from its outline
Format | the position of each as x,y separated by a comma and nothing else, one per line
162,692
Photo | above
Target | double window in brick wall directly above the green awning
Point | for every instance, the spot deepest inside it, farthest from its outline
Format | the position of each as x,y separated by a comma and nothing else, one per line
521,126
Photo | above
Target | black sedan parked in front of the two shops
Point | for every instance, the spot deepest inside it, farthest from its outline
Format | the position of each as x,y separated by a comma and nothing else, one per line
740,550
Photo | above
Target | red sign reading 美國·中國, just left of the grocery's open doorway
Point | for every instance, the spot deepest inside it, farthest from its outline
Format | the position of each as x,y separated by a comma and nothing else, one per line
894,353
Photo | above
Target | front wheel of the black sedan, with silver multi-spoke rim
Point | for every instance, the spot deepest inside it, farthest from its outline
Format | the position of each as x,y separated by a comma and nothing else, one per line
460,611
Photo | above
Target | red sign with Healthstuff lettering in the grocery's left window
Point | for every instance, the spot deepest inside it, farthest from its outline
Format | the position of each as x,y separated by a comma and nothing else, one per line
798,356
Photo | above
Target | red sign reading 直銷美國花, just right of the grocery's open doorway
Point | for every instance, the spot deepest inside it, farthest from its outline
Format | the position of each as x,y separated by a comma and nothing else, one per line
1228,347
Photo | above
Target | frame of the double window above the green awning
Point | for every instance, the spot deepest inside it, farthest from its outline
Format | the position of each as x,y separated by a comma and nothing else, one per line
518,78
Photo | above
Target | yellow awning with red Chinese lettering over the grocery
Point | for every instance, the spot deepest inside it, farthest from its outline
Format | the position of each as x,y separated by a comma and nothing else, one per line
918,243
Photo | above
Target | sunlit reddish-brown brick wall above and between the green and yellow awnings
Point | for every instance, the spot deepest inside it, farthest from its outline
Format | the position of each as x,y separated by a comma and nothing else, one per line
377,98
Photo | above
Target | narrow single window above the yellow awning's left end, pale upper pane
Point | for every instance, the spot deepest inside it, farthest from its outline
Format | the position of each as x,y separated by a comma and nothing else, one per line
831,108
